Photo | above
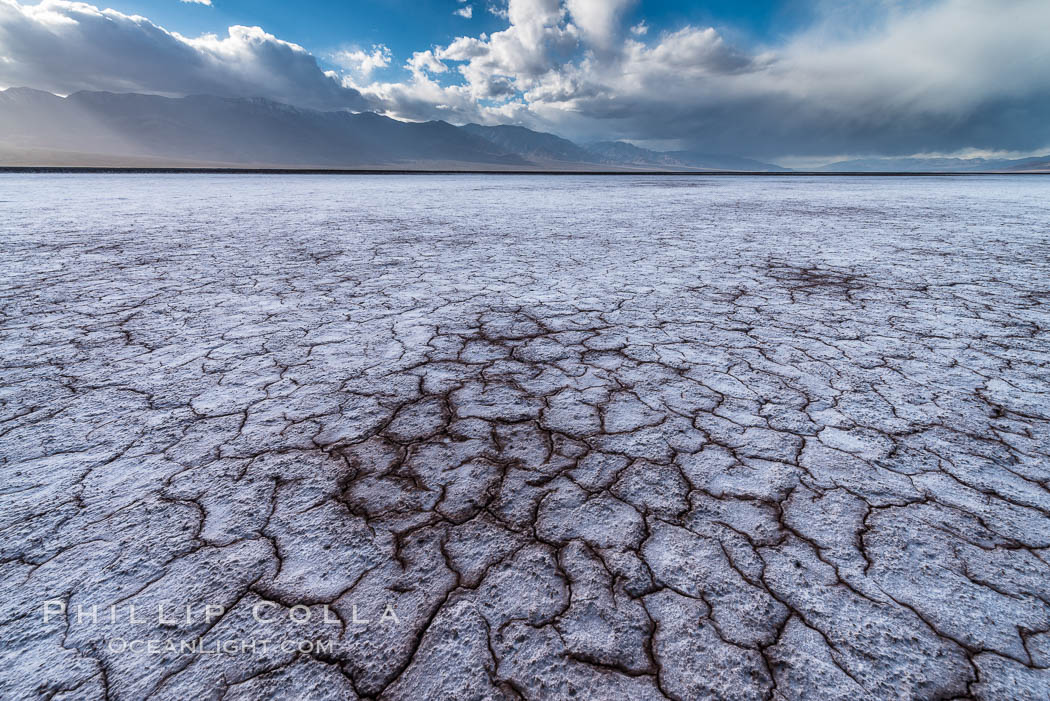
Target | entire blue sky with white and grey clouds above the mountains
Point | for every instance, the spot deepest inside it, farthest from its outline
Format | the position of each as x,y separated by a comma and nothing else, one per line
772,79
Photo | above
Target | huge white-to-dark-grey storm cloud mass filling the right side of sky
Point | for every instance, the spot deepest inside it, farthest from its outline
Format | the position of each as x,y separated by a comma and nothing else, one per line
936,77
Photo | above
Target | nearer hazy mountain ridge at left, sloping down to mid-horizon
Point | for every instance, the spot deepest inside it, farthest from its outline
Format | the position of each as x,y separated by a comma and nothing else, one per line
244,132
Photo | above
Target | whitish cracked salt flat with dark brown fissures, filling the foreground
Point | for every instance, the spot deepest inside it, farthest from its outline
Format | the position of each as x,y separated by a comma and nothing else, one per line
593,438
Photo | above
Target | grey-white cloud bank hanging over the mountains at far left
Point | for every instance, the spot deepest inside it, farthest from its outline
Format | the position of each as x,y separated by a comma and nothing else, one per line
68,47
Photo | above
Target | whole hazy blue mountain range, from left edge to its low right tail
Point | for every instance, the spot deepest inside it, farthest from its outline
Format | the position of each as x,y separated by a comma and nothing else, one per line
107,130
